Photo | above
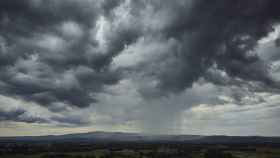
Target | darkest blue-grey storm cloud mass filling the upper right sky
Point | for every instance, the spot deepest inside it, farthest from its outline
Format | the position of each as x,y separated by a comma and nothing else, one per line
221,33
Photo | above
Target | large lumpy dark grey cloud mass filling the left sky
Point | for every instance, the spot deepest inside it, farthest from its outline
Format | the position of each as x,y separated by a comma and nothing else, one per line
58,69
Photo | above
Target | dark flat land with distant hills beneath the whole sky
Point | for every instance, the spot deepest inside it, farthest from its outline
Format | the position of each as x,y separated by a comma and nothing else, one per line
132,145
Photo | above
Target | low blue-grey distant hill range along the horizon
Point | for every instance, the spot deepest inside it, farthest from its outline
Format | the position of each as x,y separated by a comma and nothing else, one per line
93,137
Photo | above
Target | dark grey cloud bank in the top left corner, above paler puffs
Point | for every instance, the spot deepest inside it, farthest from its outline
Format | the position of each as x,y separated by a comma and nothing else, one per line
41,14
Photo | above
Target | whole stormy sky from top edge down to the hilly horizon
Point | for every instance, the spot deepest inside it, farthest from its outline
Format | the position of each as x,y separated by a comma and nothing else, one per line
146,66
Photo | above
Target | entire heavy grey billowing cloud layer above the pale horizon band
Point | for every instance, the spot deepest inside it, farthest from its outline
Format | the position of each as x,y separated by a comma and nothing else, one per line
68,51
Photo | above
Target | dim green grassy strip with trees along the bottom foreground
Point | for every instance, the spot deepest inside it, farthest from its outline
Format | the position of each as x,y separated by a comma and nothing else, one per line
127,153
